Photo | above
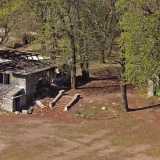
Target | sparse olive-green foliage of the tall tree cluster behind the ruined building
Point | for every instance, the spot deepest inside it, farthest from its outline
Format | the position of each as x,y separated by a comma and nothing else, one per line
91,22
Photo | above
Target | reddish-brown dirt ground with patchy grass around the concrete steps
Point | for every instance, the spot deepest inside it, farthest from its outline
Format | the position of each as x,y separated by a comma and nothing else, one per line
95,134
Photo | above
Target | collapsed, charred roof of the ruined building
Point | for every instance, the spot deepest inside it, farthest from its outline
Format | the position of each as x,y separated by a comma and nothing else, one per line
19,62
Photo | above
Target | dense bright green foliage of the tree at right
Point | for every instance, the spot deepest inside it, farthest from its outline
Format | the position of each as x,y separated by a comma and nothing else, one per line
140,40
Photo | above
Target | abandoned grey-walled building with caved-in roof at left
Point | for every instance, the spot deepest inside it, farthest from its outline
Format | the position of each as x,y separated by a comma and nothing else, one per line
21,76
